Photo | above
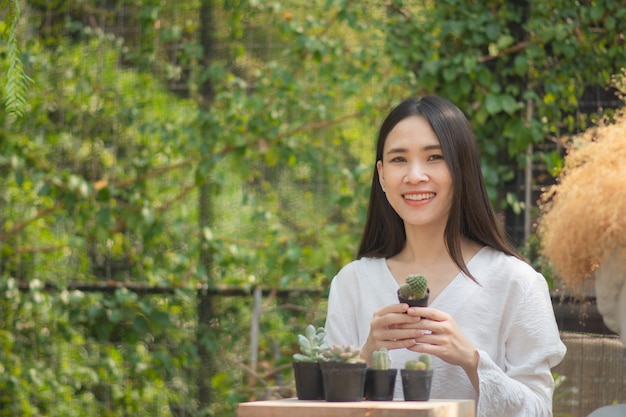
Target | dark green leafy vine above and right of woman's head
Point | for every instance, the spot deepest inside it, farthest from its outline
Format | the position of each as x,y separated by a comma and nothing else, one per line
518,70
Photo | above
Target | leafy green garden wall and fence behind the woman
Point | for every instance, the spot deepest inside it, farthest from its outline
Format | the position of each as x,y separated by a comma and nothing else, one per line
182,180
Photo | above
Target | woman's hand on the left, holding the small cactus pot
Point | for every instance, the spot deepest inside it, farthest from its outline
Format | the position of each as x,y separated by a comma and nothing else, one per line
391,328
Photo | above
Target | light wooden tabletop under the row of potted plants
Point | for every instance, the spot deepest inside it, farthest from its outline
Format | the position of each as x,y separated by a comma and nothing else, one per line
292,407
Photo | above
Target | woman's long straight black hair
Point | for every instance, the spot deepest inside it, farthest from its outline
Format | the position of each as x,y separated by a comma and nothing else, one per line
471,214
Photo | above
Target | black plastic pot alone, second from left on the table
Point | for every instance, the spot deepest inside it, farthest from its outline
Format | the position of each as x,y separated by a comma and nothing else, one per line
343,381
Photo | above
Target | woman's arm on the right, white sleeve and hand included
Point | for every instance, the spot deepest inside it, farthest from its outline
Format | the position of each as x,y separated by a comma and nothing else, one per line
521,383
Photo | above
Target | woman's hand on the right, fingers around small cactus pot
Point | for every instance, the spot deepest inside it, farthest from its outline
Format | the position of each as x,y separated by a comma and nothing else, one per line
442,337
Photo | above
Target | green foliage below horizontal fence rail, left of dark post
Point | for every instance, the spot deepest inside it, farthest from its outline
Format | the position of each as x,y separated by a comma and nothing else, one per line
67,354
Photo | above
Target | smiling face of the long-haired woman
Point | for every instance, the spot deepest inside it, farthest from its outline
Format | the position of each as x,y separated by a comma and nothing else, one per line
414,175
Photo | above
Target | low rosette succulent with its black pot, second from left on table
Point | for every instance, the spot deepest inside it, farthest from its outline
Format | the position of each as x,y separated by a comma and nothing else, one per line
343,372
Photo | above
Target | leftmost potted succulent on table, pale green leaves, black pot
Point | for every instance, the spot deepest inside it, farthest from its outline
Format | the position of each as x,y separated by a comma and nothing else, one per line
306,364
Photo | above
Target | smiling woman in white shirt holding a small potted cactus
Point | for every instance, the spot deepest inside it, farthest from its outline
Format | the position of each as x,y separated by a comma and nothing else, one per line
489,327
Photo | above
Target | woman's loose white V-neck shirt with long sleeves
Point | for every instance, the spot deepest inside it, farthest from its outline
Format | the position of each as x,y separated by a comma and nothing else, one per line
509,317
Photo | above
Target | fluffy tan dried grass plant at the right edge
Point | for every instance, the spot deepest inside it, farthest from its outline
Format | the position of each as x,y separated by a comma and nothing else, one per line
583,216
